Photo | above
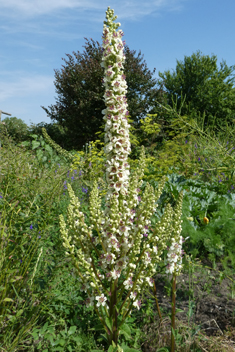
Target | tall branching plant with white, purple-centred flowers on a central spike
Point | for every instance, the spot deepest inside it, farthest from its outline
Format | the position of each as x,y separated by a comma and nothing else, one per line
116,252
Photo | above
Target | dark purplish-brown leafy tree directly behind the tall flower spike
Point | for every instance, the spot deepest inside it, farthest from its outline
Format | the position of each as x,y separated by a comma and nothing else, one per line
79,89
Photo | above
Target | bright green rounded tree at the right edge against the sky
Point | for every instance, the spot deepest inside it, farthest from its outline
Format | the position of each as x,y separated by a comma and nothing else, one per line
206,88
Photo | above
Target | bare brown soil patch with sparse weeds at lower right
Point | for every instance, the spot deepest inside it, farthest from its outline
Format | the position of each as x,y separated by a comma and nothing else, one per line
206,300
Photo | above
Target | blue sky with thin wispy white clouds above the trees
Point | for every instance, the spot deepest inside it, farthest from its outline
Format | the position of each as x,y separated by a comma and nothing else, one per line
36,34
